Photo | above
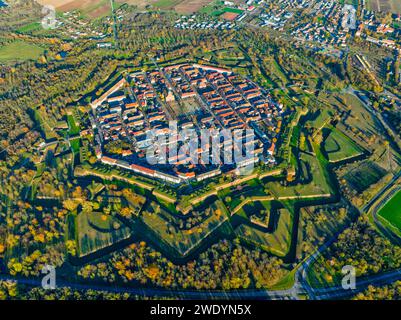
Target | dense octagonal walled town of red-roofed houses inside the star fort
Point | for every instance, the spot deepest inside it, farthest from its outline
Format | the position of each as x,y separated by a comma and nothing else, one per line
141,108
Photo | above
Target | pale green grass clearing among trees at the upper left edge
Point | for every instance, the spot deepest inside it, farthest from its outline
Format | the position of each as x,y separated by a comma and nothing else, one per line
19,51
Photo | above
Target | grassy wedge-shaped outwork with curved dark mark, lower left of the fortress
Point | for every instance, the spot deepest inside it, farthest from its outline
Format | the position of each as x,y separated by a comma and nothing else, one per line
96,231
